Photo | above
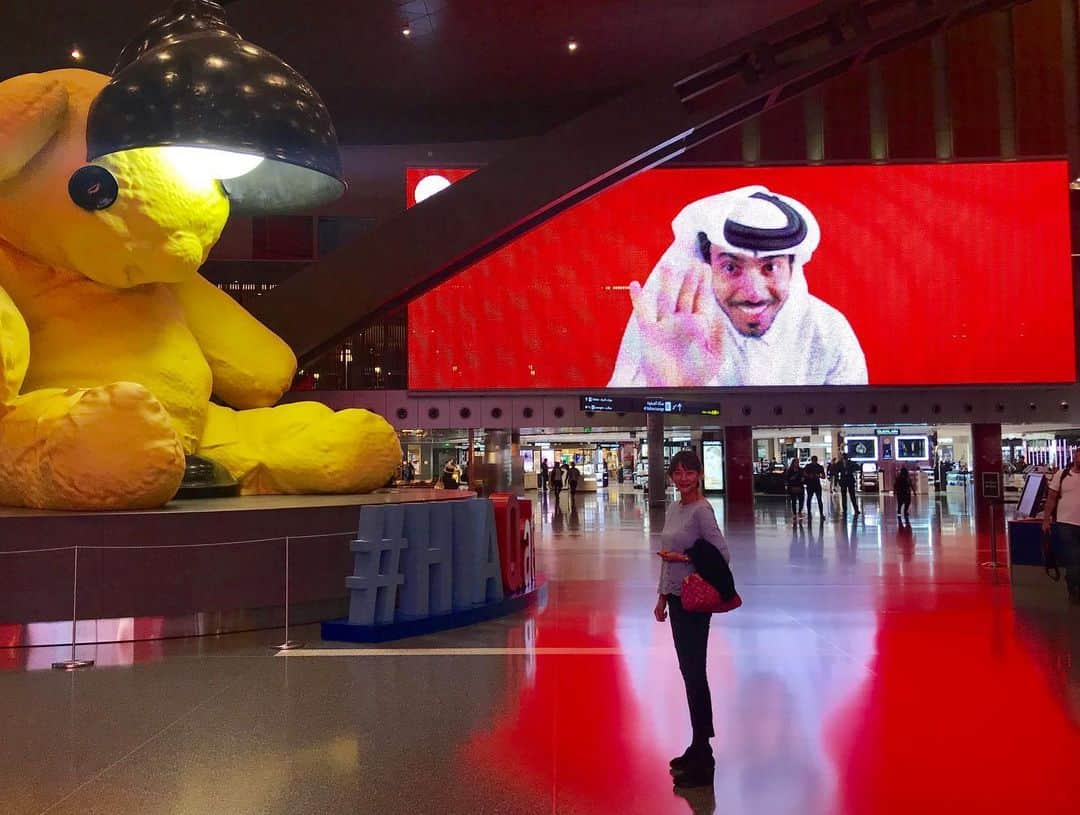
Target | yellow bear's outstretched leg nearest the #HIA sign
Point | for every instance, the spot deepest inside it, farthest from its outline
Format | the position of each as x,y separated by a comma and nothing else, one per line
302,449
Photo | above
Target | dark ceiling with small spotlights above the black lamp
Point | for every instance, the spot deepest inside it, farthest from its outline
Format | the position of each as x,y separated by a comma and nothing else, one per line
471,70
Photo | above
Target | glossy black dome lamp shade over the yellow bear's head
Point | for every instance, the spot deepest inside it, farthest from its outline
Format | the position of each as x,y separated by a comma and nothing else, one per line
191,80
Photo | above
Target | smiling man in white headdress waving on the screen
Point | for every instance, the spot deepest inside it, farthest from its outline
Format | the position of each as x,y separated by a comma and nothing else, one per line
728,304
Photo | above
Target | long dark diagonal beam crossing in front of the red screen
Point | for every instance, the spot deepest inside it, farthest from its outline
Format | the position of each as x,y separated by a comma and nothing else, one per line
408,255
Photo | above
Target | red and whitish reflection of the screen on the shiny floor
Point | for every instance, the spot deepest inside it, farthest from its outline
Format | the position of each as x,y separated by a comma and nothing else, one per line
951,705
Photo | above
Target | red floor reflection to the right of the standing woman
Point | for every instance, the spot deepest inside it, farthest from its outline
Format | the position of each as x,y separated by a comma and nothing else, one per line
958,716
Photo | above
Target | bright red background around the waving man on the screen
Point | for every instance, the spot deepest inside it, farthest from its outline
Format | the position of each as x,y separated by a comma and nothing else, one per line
949,275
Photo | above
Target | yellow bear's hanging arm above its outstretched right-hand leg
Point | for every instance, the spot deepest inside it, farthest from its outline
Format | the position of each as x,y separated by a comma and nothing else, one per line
252,366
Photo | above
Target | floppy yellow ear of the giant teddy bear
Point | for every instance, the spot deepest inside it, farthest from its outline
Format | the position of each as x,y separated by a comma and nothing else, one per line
33,107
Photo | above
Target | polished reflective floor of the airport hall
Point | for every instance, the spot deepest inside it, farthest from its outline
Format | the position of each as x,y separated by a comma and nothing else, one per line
874,669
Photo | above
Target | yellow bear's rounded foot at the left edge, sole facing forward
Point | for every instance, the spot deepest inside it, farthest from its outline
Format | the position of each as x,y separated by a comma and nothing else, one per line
112,447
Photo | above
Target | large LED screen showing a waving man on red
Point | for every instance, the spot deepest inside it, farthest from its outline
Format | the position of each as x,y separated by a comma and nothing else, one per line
886,275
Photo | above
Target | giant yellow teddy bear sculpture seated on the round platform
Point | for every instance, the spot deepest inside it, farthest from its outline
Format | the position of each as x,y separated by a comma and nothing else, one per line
112,344
